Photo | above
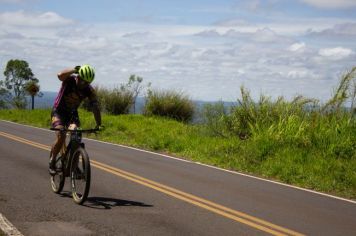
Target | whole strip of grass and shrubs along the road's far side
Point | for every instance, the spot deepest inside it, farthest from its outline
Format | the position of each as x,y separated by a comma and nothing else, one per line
300,142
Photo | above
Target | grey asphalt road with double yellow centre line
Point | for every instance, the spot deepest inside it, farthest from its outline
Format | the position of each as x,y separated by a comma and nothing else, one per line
135,192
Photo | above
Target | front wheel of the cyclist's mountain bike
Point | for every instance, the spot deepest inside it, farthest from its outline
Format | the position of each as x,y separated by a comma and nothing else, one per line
80,175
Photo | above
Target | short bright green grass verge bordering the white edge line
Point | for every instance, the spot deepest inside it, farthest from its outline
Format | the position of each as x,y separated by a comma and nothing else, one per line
329,167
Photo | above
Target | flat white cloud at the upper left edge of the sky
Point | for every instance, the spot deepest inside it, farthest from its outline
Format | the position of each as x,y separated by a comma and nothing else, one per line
21,18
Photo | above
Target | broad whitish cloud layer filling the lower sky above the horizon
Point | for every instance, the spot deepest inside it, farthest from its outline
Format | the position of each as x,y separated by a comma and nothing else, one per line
210,67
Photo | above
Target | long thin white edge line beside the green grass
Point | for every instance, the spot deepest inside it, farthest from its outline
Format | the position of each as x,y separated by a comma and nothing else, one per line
206,165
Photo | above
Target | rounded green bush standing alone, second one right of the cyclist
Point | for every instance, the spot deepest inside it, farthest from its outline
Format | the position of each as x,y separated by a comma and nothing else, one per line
169,104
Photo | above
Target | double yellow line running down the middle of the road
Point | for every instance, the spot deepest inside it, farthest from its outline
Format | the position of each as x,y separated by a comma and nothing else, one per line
241,217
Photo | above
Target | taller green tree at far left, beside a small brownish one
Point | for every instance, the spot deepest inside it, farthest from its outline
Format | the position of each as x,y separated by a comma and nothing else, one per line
17,73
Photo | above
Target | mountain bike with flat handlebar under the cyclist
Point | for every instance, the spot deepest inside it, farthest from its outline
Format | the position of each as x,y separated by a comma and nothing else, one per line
73,161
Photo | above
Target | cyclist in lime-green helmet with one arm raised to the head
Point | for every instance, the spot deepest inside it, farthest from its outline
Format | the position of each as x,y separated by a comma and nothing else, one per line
75,88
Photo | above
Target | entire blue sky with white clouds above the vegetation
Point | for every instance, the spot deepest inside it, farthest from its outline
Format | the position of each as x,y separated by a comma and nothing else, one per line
204,48
